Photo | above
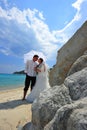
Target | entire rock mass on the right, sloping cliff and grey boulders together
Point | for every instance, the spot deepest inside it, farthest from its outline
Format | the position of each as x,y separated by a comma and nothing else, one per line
64,105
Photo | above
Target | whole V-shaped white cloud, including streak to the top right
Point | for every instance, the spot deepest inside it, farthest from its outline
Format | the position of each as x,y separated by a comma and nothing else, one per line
22,31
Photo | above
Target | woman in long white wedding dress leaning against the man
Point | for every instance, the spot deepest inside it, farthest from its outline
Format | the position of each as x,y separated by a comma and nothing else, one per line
41,81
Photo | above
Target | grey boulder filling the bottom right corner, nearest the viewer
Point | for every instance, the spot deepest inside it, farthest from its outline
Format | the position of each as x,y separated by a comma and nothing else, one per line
70,117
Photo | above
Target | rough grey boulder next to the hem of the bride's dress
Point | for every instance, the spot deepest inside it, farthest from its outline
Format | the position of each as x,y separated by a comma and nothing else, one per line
48,103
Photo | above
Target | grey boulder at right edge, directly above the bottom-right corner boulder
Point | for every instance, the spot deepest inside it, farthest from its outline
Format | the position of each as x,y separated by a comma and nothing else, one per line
77,84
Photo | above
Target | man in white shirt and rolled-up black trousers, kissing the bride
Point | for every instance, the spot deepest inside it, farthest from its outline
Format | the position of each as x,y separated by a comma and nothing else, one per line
30,74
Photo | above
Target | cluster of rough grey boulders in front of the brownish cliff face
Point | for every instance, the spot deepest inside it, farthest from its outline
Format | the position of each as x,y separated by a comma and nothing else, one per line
62,107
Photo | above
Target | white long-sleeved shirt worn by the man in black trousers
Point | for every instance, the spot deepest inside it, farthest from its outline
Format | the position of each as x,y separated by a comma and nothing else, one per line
29,68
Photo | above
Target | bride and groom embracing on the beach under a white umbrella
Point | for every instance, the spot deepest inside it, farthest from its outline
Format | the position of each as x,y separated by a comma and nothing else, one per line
36,78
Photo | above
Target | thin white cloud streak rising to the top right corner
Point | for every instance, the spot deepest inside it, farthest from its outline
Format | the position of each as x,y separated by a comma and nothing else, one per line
64,34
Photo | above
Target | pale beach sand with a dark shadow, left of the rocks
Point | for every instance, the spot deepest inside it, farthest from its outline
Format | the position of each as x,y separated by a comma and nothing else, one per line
14,113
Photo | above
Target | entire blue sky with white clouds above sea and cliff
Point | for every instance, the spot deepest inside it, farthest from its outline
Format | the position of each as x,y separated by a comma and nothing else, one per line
39,25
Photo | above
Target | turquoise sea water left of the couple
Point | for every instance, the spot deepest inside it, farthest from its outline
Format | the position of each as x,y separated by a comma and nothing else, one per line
11,81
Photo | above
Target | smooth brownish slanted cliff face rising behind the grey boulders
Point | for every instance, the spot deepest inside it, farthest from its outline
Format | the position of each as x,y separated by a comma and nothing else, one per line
67,55
